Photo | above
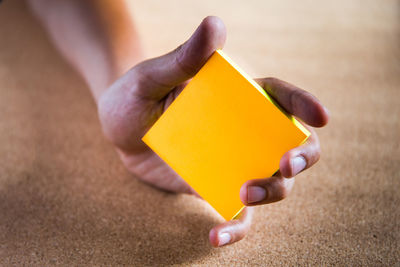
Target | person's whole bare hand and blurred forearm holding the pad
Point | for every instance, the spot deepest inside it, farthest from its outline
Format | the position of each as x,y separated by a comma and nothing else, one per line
131,94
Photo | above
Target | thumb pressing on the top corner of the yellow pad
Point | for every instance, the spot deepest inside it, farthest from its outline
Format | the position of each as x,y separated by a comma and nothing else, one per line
158,76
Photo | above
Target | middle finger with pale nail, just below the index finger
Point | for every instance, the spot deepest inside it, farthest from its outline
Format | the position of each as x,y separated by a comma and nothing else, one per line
302,157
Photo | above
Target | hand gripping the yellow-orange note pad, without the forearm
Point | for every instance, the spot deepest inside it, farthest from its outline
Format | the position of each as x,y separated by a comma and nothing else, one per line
134,102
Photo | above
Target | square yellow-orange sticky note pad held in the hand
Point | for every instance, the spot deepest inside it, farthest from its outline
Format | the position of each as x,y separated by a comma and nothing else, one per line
222,130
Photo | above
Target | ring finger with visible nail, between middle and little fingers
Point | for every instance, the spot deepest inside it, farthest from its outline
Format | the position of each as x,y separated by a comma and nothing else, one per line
265,191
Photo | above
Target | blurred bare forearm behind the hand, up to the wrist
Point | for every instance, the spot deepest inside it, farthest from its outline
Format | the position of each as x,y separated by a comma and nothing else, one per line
97,37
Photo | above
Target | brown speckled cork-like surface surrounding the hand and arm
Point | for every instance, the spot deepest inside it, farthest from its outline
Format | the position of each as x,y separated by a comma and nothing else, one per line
66,199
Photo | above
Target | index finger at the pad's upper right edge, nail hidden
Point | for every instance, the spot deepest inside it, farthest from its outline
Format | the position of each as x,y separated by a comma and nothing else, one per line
296,101
